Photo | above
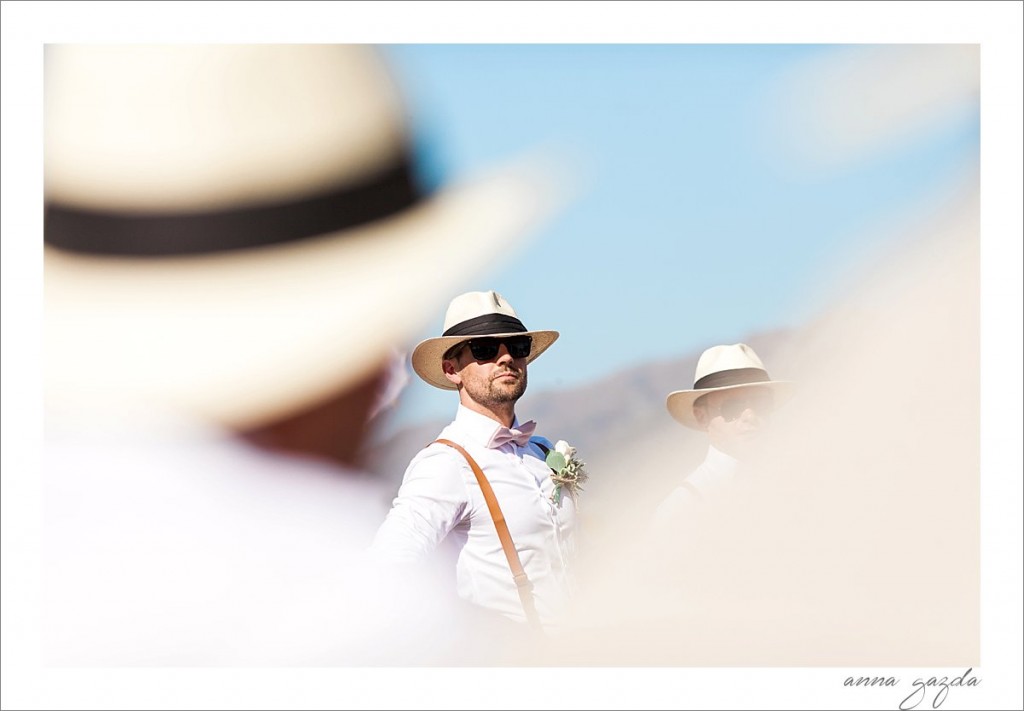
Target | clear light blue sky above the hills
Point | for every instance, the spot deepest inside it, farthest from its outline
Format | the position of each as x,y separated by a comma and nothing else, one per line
702,215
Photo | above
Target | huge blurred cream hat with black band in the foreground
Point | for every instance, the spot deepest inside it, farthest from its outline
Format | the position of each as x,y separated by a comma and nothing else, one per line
235,232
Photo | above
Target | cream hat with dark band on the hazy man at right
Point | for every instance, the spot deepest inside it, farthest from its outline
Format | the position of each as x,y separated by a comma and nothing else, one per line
723,368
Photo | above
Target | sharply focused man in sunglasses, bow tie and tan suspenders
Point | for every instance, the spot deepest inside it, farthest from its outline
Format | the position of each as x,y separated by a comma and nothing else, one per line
485,487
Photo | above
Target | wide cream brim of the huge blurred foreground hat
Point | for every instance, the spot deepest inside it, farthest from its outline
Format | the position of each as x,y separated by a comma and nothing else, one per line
241,339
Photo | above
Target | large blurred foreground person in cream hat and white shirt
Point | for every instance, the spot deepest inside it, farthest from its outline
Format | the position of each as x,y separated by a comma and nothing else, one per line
234,243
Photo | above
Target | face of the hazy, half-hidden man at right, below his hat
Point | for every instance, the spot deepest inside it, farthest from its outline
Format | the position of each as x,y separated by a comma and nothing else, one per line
735,420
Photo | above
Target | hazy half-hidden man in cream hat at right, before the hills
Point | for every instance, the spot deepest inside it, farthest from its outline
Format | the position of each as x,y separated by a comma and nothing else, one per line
732,401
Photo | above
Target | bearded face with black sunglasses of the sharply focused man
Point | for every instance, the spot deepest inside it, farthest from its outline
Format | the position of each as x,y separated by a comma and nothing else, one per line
494,382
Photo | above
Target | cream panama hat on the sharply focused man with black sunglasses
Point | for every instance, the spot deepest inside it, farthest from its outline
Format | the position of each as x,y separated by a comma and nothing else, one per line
474,315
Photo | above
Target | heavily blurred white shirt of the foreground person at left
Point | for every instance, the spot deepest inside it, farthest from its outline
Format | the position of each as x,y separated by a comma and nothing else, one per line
177,546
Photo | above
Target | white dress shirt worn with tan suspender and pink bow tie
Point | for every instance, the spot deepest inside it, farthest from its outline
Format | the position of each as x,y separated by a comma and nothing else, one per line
441,499
